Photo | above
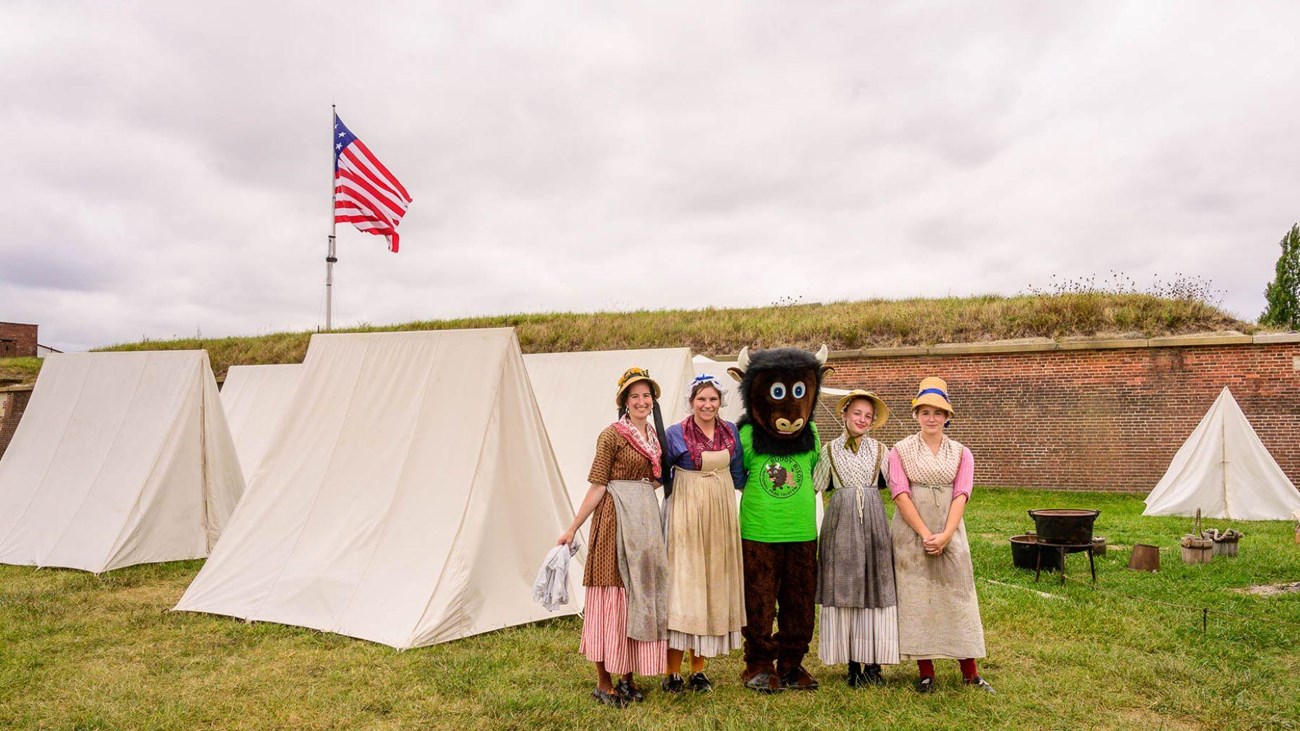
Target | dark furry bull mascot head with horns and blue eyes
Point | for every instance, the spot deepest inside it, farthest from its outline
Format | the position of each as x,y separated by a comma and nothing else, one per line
779,390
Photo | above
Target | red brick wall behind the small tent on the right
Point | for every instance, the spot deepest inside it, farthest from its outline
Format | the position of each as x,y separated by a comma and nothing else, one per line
1089,419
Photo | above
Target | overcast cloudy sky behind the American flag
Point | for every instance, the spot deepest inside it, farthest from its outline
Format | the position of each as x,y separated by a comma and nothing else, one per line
168,170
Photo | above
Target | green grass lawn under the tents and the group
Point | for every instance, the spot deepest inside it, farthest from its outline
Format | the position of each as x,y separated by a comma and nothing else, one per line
86,652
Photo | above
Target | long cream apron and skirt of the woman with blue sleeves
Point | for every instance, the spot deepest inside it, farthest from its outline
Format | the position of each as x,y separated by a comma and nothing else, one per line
707,590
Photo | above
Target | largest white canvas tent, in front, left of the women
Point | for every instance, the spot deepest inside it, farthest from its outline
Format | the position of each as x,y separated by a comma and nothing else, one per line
409,496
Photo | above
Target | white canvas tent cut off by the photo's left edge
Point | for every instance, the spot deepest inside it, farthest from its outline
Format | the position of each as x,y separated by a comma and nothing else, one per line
122,459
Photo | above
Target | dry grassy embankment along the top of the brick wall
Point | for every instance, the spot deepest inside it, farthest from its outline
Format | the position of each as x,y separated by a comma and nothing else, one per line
843,326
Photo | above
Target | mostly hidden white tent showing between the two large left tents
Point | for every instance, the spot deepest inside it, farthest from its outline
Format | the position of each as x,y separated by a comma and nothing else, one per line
255,399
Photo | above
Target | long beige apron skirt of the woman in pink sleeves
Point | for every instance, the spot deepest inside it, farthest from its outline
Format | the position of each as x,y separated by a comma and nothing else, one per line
938,607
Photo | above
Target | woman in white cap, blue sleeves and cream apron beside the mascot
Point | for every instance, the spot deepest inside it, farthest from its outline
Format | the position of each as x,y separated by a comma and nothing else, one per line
707,594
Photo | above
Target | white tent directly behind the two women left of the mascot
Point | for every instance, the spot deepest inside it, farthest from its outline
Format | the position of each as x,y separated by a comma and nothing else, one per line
575,392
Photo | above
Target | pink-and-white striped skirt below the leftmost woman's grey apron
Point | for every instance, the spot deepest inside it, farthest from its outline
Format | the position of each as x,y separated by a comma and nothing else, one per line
605,637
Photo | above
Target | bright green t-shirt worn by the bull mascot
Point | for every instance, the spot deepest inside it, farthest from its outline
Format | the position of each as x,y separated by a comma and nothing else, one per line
779,504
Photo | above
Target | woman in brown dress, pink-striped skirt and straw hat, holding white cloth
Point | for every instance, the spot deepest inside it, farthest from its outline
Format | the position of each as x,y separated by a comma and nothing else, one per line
625,626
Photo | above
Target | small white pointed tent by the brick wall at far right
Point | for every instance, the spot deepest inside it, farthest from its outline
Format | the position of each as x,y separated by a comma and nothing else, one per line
1224,470
